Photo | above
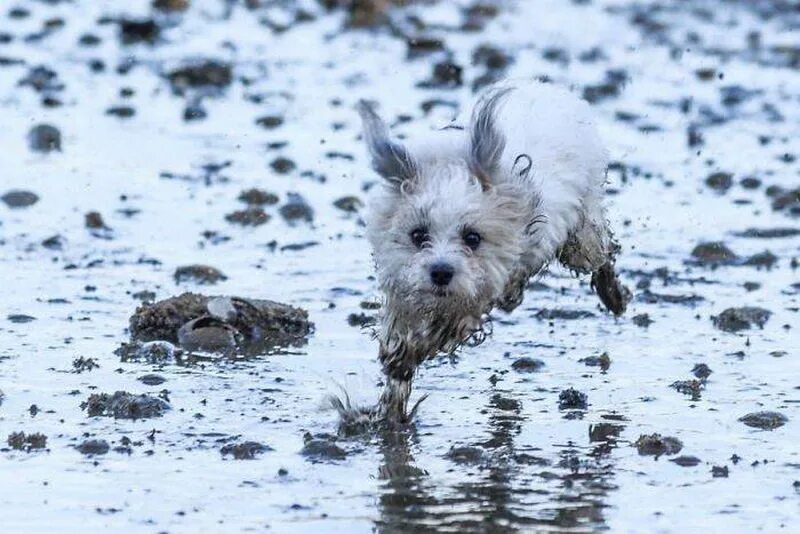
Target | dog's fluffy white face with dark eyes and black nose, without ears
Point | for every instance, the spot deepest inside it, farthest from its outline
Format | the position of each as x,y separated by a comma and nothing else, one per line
443,243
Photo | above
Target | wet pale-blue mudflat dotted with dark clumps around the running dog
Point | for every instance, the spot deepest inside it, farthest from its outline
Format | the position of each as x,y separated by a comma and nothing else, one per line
128,137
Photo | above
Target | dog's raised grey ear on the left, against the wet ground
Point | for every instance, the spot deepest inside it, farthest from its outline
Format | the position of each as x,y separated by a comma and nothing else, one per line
390,159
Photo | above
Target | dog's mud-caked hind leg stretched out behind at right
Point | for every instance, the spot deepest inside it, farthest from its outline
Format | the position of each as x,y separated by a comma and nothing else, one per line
592,249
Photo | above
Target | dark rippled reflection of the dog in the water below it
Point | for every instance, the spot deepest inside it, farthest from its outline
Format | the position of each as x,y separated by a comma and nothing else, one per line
508,487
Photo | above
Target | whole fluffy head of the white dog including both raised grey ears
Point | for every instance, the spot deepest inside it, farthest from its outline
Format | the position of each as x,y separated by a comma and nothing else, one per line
444,234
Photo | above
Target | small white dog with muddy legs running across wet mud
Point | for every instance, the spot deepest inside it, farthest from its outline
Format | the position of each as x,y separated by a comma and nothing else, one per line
467,215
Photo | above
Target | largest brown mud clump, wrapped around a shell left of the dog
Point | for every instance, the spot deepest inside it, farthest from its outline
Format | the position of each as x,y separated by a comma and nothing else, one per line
265,323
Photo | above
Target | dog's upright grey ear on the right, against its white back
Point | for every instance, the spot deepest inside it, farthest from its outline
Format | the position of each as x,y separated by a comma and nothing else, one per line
486,141
